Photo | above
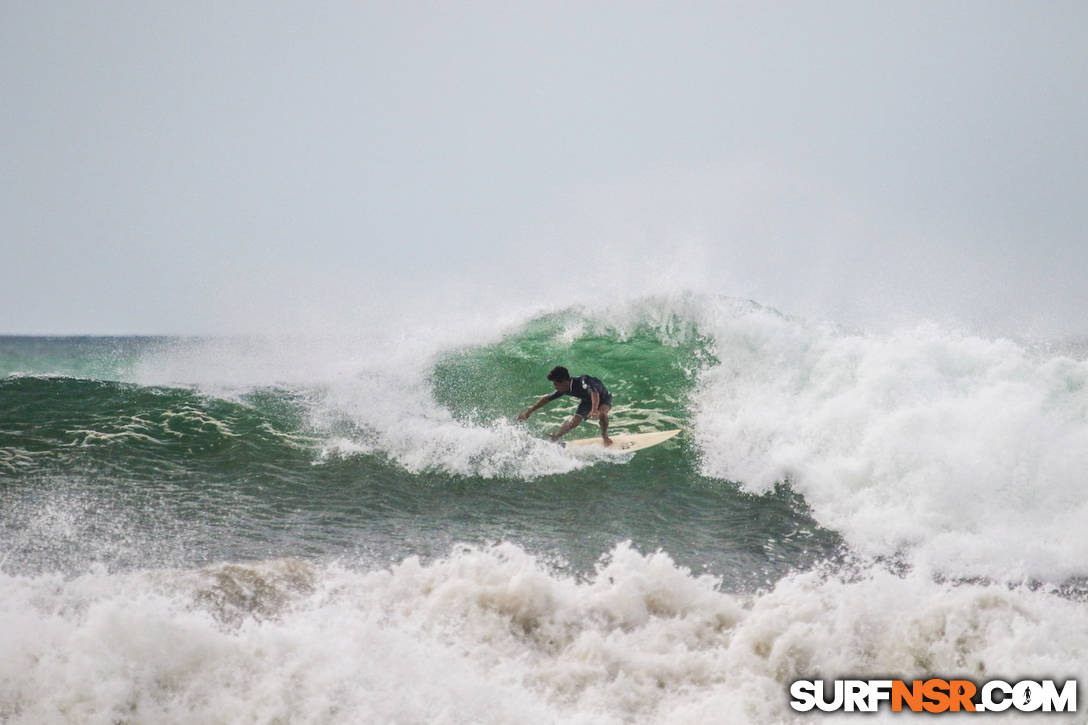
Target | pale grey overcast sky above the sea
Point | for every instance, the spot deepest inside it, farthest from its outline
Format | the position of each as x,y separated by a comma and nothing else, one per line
204,167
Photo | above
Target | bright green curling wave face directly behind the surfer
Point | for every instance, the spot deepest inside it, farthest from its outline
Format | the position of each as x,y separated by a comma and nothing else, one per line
650,370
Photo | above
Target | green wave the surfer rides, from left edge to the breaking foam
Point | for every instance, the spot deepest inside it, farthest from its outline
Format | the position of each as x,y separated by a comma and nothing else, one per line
379,464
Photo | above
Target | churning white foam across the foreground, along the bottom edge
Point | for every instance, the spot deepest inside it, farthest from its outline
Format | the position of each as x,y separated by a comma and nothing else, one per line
493,635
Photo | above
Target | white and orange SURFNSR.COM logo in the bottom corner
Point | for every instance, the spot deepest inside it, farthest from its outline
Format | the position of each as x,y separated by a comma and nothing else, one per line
933,696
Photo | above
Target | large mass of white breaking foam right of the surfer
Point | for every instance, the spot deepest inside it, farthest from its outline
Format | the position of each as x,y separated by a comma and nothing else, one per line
961,454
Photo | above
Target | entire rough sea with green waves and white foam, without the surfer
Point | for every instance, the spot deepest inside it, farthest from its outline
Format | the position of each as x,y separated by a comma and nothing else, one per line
353,529
